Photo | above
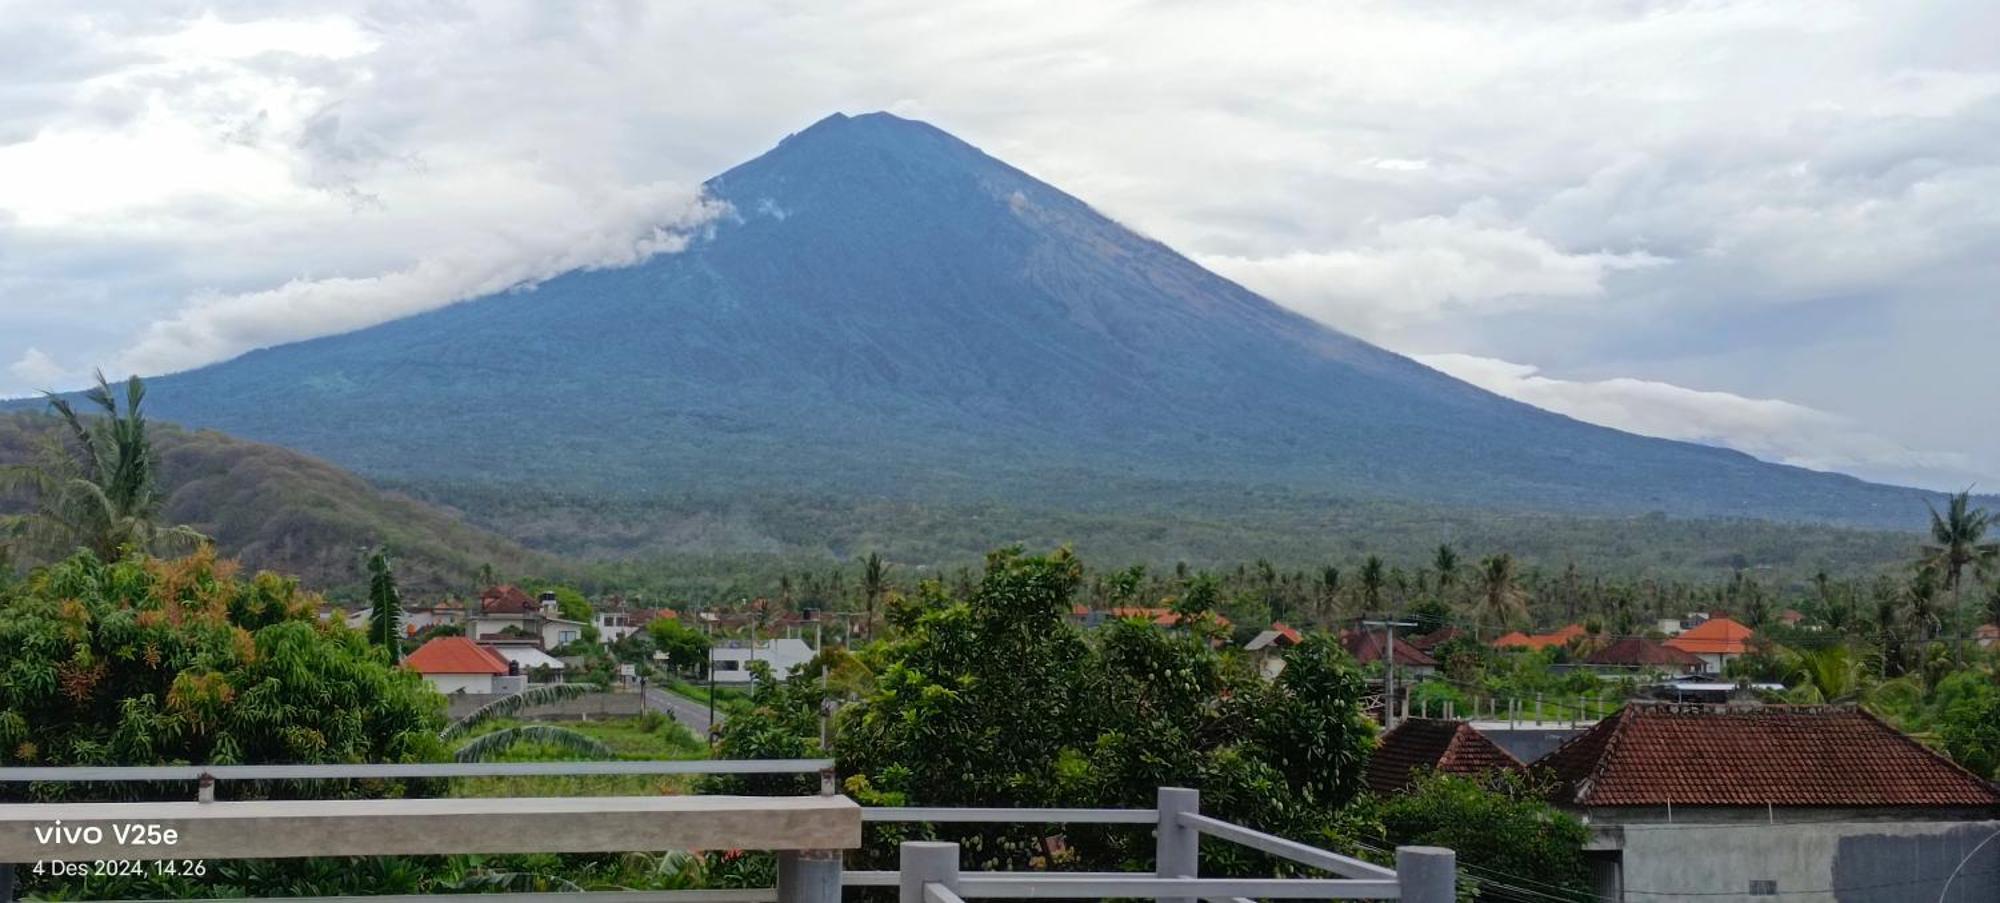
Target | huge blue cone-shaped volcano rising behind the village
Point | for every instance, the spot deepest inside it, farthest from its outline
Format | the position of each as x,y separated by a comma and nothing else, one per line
893,313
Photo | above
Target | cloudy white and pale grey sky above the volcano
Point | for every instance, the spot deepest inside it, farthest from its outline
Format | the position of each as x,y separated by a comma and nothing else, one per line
1769,227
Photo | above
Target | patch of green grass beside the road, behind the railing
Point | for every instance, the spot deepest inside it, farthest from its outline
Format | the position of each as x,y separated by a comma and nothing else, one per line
645,738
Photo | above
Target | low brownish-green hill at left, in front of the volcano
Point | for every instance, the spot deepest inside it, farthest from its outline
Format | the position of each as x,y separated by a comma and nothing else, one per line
273,508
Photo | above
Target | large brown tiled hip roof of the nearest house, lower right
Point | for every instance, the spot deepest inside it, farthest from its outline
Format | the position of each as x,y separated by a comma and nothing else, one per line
1799,756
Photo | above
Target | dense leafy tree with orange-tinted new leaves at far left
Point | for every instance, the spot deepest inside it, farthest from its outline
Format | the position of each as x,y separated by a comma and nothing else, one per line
143,662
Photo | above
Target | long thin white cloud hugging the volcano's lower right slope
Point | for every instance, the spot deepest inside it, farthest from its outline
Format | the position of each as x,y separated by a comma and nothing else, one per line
1767,429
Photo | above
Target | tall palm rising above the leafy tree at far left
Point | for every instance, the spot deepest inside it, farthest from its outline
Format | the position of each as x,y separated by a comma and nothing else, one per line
99,490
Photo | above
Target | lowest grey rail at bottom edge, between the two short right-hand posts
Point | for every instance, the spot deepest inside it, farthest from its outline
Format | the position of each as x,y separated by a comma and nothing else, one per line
1029,886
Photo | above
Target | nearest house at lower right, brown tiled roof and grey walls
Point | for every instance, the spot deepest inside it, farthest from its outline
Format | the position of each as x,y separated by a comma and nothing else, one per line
1789,802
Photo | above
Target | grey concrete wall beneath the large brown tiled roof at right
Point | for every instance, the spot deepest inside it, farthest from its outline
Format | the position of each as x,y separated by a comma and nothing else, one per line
1847,862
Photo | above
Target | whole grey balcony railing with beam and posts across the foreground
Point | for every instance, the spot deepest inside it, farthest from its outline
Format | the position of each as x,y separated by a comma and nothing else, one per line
809,836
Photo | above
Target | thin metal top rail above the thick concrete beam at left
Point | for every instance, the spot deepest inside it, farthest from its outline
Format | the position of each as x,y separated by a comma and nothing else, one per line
89,774
